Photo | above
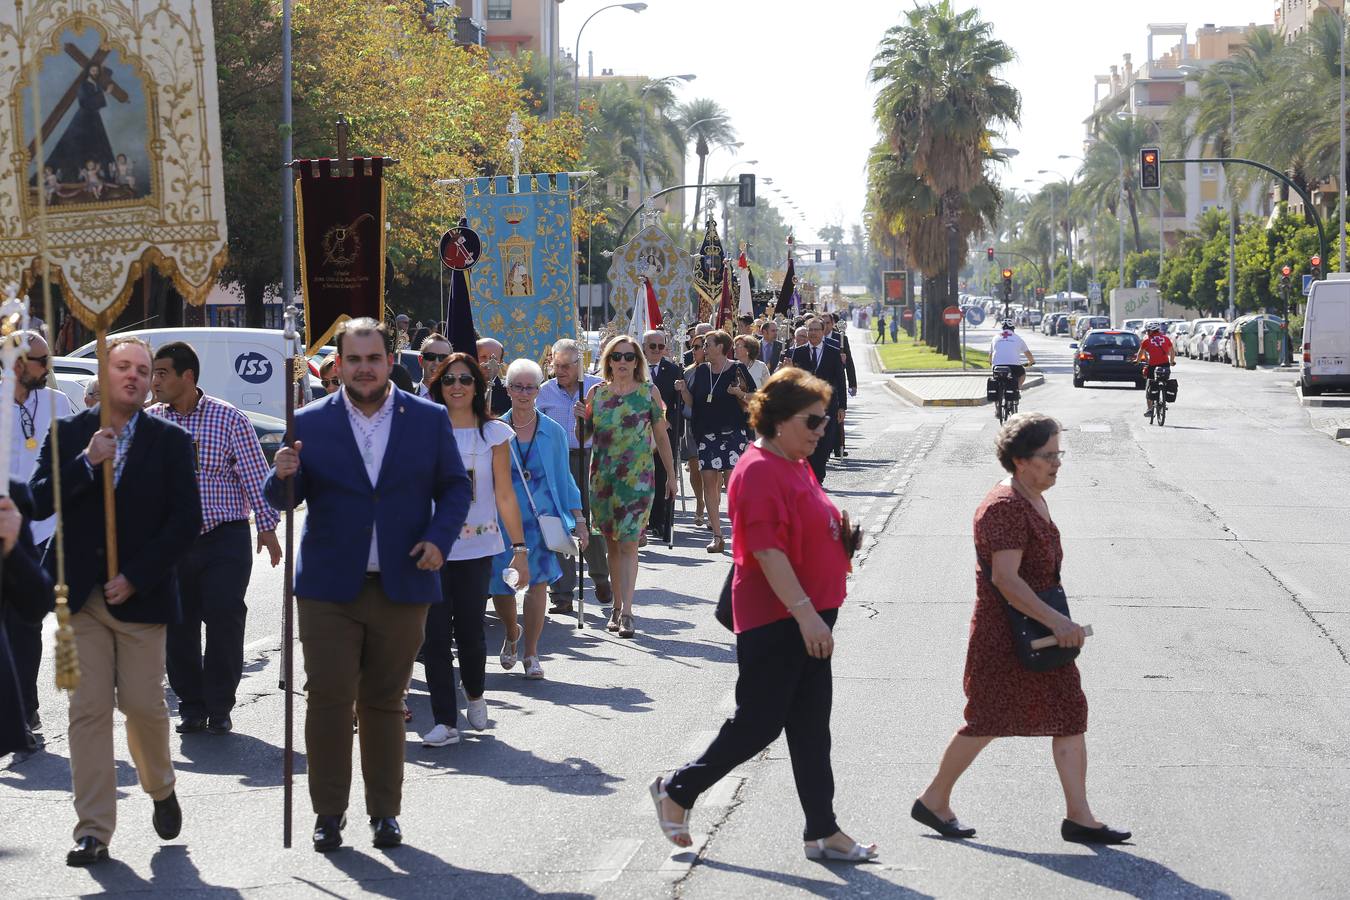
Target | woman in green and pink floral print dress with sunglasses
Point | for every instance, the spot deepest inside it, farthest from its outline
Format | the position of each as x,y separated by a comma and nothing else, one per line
623,414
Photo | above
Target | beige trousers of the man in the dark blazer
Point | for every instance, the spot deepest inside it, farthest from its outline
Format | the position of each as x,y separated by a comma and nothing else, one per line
124,665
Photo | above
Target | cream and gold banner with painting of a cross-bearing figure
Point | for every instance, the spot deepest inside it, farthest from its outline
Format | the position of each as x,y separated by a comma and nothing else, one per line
129,159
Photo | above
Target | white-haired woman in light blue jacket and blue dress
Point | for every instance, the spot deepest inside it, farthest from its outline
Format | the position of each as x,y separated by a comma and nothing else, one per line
545,486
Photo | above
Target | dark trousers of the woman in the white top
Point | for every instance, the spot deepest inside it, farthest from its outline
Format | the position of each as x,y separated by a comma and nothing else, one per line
464,584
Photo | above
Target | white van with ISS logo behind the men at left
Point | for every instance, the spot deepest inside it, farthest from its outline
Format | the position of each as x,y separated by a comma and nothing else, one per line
242,366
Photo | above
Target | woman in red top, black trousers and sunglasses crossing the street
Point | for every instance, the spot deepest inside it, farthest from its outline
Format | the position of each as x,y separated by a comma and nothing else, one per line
792,550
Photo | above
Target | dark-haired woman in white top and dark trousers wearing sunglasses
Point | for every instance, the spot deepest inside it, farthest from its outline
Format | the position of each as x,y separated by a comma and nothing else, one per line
484,447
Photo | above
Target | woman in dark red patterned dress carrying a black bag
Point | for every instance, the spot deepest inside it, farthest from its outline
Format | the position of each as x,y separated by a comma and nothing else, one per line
1017,547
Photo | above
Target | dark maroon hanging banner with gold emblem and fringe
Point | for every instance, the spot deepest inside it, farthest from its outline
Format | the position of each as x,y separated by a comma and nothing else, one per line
341,219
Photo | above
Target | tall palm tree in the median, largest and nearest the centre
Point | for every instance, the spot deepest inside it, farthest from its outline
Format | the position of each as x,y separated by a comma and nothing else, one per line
939,109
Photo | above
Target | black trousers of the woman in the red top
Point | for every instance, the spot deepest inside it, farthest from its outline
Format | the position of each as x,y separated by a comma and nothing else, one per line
780,686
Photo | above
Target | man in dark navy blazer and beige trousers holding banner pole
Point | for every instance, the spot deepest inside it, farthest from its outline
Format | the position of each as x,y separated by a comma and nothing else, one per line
121,624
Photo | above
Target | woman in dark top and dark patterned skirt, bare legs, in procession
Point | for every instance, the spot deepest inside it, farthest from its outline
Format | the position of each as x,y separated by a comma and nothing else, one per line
718,393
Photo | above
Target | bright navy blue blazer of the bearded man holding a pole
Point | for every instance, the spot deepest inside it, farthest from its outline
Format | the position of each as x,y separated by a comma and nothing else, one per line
422,495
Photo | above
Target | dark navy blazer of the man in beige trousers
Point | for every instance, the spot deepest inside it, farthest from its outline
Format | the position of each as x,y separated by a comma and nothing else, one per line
159,515
